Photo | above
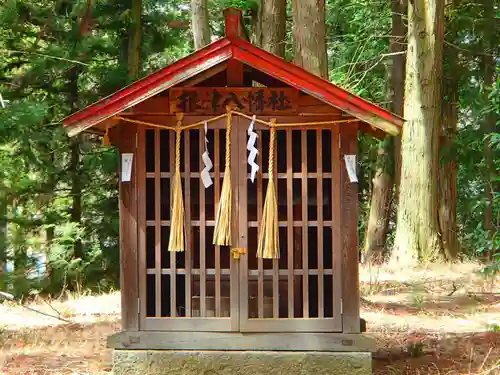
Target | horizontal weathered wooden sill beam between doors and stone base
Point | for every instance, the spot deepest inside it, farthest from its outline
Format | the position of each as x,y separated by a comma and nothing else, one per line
329,342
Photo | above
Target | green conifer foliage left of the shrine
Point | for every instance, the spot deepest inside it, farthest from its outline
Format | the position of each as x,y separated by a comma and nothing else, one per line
49,68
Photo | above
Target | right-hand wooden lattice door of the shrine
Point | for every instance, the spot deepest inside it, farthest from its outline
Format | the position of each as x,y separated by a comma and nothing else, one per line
301,290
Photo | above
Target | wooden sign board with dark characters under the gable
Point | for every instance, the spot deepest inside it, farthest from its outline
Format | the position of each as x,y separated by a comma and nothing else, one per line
250,100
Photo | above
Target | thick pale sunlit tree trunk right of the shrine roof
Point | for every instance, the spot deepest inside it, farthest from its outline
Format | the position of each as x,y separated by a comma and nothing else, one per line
417,235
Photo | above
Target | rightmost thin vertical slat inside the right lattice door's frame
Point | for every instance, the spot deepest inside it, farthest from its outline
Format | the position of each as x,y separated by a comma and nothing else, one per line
319,194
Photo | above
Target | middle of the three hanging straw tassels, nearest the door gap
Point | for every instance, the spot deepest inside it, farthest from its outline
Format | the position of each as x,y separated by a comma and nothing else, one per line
222,230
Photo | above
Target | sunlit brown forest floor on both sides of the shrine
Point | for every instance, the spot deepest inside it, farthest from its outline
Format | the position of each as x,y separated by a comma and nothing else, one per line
441,320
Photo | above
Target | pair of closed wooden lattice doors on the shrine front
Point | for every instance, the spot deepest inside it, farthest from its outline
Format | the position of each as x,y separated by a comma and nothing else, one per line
205,288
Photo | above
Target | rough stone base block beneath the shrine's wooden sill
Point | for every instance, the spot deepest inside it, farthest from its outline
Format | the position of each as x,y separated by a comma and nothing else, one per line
163,362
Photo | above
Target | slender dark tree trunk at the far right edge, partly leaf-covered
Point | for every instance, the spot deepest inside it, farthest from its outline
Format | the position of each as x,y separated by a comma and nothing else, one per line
488,125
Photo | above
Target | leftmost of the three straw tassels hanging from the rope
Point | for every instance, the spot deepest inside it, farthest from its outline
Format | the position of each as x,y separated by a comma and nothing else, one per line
176,241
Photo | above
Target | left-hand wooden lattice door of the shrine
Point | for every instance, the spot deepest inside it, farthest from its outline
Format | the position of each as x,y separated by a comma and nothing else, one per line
194,290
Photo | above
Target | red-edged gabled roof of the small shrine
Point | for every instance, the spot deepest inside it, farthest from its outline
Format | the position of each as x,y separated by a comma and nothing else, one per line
233,47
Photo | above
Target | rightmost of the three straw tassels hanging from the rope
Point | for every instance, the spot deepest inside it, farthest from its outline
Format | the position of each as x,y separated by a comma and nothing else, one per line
269,235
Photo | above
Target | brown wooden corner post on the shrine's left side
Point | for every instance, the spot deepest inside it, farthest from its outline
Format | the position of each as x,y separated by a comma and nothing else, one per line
128,235
